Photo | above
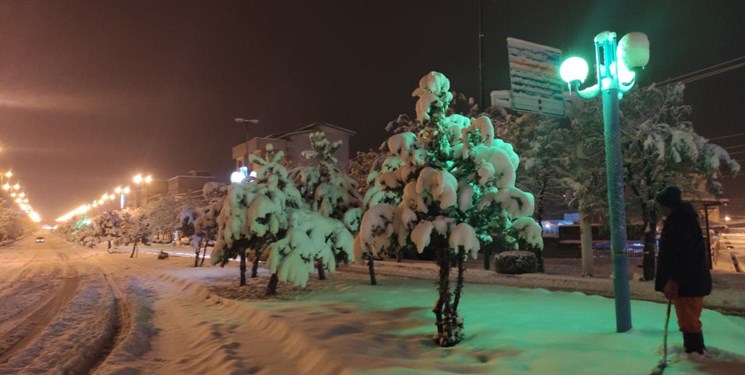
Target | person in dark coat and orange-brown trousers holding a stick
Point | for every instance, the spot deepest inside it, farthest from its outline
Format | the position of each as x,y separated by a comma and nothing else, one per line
682,265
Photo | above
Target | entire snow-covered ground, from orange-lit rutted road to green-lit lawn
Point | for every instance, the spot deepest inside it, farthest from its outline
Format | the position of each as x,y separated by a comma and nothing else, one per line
77,310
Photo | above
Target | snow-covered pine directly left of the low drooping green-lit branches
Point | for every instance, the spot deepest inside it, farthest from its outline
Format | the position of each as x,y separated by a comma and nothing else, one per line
255,214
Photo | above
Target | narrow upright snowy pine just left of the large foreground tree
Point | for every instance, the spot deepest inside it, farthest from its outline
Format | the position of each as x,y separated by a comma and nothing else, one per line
327,190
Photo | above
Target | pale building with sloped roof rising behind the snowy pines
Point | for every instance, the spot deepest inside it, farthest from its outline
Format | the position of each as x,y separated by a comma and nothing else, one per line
294,143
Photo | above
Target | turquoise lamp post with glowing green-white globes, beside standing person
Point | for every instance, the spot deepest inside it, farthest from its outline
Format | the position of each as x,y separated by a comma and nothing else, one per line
614,77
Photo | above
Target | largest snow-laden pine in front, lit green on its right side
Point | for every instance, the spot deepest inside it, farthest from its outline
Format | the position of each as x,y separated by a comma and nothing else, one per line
457,188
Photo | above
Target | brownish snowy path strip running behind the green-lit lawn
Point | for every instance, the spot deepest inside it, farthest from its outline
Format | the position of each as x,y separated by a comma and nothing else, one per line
563,274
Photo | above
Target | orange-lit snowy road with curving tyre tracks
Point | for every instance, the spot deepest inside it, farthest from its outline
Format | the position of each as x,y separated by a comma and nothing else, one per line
69,309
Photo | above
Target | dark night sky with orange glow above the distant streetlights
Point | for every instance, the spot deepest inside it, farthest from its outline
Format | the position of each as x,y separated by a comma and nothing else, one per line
92,92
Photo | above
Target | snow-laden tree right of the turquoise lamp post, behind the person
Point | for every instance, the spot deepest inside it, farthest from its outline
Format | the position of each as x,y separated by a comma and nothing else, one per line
660,147
